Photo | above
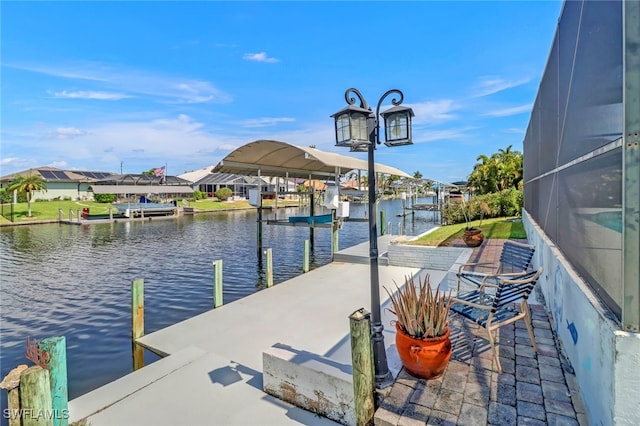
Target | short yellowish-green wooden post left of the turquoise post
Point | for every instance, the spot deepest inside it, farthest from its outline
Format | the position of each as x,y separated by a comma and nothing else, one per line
35,397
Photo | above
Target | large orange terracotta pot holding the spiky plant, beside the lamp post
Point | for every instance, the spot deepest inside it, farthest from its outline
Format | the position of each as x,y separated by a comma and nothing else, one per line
423,358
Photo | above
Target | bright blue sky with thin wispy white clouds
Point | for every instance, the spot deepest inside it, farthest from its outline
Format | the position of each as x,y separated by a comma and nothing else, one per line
104,85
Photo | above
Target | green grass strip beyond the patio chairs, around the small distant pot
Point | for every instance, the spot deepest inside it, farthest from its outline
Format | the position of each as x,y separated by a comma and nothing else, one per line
509,228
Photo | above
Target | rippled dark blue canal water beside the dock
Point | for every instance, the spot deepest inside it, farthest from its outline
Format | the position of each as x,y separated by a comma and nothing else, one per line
74,281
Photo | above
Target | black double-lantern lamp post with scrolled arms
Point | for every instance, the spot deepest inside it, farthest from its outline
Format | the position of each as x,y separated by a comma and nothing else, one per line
357,127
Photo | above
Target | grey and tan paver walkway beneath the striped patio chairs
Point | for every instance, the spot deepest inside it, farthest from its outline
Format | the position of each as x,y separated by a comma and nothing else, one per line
533,389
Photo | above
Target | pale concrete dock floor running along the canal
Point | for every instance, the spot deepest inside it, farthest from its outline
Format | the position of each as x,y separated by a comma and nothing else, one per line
212,372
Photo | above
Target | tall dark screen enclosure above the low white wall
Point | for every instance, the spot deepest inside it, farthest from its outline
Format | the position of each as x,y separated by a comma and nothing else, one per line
584,133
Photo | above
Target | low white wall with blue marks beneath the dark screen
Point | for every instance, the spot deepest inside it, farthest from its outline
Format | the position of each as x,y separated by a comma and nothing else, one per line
606,359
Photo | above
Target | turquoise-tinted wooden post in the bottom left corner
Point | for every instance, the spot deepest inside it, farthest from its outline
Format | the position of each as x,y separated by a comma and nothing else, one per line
57,349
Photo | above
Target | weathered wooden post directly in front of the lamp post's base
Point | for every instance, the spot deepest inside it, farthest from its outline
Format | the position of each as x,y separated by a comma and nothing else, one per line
363,367
